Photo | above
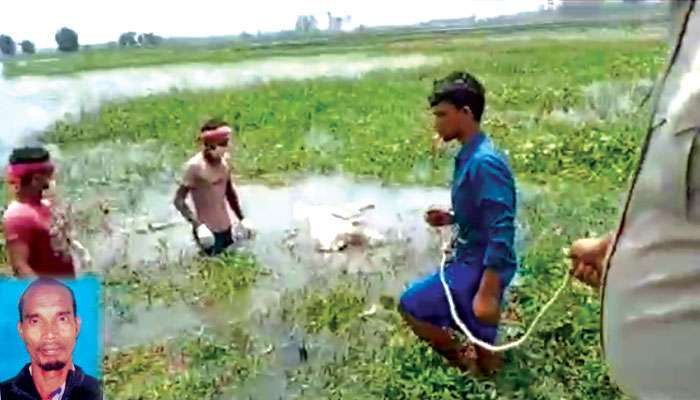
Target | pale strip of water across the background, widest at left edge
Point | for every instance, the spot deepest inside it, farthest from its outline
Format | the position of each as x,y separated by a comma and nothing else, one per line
30,104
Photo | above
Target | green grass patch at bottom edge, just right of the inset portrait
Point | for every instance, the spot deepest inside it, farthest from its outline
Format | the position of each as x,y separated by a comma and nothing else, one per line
187,367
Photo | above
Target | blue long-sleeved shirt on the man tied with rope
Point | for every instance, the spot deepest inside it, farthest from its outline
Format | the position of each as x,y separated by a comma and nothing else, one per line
484,205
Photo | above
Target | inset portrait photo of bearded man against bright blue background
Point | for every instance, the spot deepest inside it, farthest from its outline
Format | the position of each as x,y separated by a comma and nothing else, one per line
50,335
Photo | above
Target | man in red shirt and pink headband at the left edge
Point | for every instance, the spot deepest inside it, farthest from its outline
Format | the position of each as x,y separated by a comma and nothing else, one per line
36,243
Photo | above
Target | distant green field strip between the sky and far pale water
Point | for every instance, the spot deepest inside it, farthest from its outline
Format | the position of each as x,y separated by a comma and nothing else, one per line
392,41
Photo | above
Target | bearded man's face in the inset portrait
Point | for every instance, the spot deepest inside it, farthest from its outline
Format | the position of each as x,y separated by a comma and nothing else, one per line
49,327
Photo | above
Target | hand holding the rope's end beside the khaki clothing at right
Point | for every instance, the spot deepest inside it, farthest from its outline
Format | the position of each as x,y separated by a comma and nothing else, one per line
587,259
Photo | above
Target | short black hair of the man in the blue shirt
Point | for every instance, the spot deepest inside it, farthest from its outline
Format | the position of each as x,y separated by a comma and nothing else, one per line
460,88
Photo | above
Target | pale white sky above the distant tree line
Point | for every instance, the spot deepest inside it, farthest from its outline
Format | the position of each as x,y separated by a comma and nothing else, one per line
99,21
